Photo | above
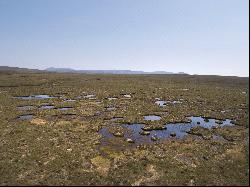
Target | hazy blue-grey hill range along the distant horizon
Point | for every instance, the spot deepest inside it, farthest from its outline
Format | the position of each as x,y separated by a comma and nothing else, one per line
69,70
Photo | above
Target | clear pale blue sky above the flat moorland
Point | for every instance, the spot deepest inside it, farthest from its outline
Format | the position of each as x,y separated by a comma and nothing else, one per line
207,37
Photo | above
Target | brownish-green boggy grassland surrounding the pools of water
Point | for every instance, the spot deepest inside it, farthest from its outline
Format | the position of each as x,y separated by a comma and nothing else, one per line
56,149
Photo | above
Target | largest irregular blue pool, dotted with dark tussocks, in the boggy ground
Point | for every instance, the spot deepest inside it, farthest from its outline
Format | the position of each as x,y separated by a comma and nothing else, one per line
179,130
